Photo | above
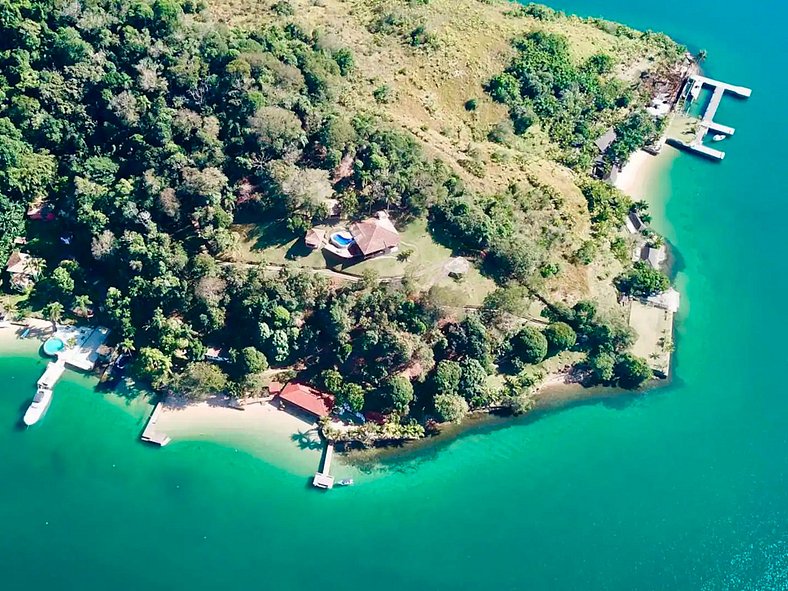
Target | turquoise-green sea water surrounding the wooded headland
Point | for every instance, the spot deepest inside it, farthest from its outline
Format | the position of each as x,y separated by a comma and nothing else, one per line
682,489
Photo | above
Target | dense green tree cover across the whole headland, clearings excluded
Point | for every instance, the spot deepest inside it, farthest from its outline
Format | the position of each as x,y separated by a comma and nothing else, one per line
146,128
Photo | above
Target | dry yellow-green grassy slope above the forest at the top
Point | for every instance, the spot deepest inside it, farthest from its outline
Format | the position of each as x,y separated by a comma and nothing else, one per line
430,57
